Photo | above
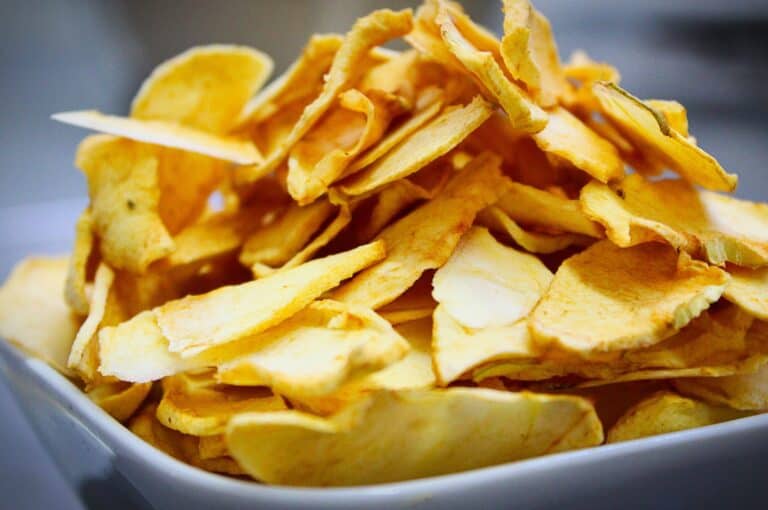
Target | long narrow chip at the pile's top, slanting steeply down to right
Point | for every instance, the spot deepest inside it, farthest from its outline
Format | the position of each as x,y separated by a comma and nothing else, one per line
523,113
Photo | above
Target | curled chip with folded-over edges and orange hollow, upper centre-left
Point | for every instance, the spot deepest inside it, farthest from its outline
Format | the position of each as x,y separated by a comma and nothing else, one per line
320,158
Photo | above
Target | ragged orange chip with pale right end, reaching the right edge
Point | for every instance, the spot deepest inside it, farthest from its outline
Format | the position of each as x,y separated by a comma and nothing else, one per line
708,225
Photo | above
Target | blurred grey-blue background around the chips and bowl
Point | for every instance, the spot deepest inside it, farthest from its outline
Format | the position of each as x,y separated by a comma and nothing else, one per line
72,54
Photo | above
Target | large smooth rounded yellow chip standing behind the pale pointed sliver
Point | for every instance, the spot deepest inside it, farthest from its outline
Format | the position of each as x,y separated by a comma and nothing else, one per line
205,87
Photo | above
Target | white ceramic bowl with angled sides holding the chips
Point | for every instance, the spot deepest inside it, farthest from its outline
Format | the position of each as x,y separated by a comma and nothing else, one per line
108,465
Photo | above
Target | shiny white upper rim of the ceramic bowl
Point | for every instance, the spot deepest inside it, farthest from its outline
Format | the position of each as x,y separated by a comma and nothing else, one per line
109,430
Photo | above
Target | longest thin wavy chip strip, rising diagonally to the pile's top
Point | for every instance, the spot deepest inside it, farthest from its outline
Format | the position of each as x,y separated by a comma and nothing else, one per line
348,65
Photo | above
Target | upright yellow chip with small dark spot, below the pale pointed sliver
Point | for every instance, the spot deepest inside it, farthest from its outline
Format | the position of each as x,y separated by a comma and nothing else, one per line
125,196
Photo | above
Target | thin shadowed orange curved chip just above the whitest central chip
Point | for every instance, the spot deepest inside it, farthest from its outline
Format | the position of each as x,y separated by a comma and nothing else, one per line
499,221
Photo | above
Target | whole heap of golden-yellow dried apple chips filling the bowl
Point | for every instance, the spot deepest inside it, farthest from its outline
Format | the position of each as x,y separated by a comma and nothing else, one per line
389,265
